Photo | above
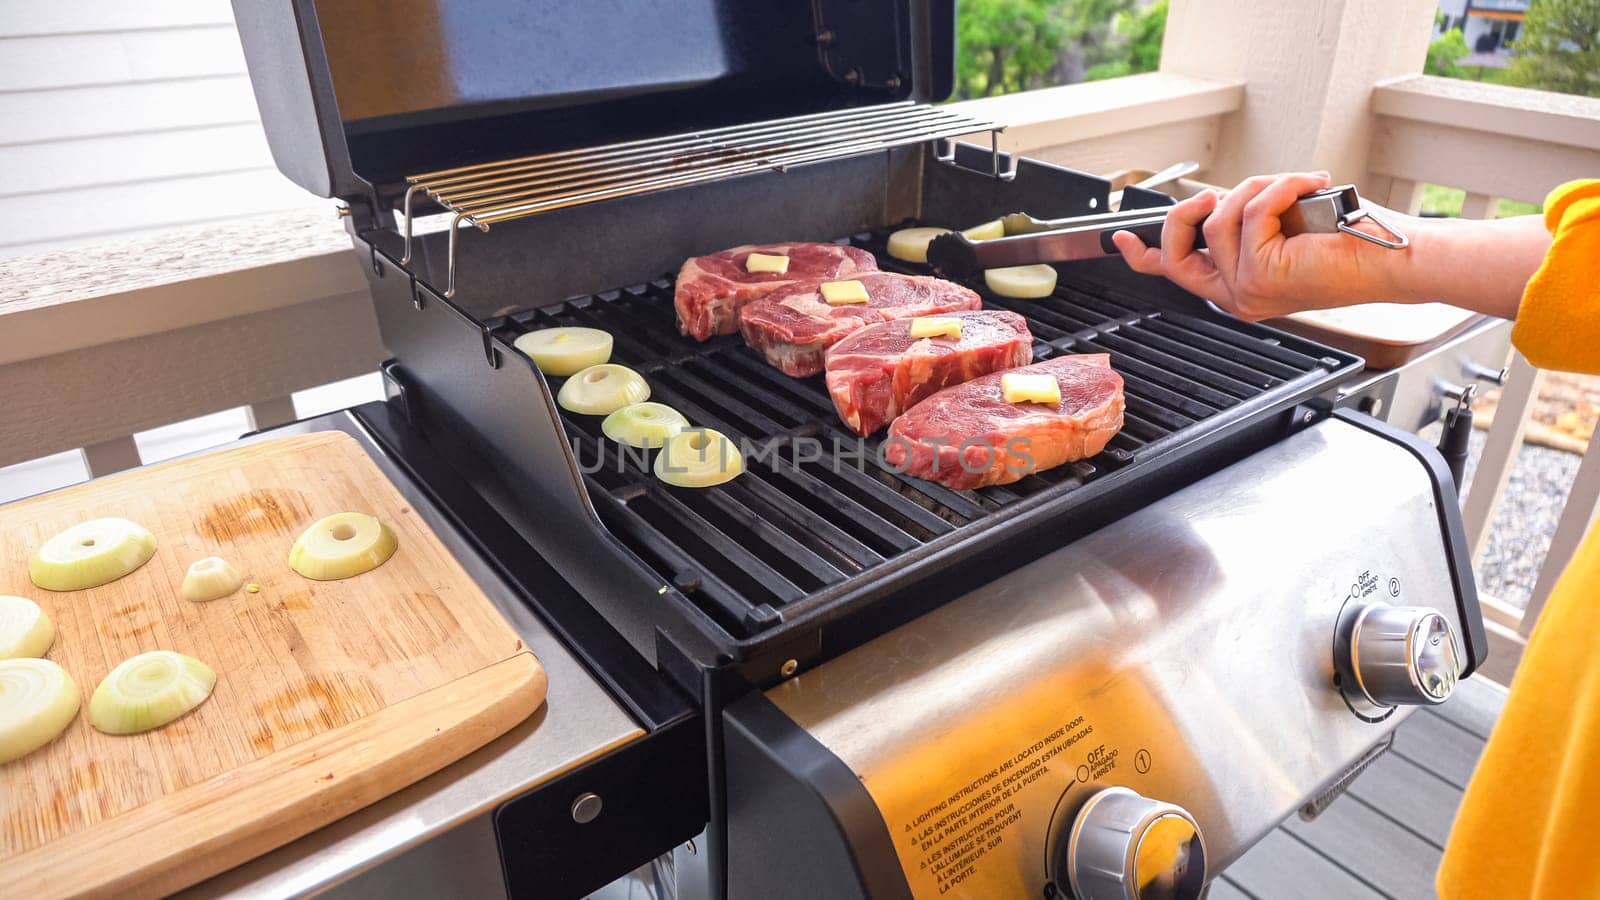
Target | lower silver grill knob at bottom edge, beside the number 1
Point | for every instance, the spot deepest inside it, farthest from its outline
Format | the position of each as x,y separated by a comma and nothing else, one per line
1124,846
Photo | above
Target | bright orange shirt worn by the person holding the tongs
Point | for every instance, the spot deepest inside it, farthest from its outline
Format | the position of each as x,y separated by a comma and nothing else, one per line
1530,821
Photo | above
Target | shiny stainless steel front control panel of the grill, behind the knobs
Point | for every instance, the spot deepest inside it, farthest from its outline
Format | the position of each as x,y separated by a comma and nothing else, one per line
1185,653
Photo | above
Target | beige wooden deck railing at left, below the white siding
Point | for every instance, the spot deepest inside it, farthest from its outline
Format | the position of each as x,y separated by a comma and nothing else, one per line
102,344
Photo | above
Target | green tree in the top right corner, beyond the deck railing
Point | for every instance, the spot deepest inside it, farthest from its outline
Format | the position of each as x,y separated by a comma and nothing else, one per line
1559,49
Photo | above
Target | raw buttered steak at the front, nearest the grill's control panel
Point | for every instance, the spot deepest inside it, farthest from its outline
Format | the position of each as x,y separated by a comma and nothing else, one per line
969,436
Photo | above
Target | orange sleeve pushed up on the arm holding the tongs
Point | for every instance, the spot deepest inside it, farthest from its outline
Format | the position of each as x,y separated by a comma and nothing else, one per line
1559,323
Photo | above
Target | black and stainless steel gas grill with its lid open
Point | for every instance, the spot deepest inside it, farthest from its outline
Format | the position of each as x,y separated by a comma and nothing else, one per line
847,681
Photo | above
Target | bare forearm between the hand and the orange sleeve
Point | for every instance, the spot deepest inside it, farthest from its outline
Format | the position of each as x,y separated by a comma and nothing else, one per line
1479,265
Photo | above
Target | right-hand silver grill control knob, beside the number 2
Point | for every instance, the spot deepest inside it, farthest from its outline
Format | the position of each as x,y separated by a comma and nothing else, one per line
1396,656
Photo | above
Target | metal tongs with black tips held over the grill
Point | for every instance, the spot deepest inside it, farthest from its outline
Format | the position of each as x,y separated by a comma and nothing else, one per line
1031,241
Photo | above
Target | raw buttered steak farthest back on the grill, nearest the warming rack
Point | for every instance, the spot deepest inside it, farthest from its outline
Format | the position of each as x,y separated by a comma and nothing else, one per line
713,289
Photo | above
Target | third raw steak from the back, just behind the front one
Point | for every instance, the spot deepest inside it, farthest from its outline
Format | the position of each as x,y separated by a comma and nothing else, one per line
882,371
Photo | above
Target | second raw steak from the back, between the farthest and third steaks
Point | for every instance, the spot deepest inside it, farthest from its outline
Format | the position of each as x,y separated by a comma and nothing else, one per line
794,327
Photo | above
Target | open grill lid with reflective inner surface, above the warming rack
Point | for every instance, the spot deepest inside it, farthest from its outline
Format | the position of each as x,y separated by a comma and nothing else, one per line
356,95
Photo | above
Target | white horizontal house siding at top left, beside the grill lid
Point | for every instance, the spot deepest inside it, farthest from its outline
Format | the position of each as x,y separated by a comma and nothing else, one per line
127,118
